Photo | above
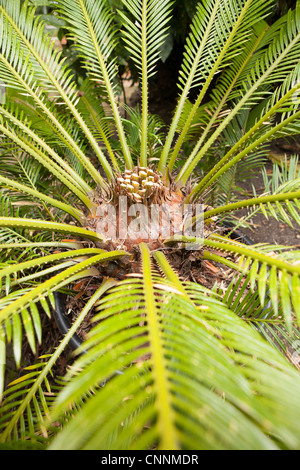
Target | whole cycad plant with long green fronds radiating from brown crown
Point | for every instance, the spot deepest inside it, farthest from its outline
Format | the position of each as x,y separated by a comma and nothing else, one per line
174,359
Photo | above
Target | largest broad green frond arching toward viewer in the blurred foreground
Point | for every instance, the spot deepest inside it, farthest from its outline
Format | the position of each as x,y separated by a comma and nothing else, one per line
189,331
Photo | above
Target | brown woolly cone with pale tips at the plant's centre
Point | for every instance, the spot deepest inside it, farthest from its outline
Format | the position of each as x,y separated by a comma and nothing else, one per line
139,187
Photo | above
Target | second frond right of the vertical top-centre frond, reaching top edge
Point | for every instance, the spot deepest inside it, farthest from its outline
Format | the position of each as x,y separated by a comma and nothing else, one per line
216,29
